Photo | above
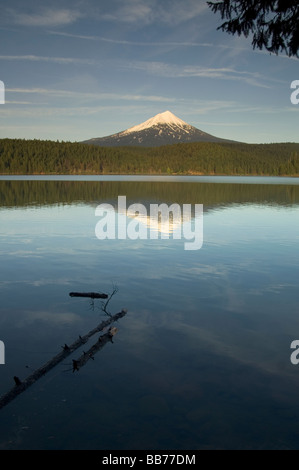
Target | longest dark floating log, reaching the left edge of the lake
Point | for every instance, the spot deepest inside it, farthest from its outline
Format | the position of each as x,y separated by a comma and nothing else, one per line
21,386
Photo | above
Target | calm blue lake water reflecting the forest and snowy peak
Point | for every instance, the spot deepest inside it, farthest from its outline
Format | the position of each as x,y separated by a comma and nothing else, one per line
202,358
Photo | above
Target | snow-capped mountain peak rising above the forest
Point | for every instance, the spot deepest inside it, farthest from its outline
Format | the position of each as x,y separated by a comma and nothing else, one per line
162,129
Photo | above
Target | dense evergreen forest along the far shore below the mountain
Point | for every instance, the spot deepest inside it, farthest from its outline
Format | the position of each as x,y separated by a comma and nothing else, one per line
18,156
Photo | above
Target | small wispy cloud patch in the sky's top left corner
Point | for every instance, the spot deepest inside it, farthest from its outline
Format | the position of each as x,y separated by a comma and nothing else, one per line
45,17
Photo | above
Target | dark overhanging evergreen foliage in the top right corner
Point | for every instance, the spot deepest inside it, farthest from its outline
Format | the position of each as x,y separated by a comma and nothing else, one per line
273,23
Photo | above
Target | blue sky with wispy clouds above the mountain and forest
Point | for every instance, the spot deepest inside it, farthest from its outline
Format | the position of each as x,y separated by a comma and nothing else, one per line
75,70
